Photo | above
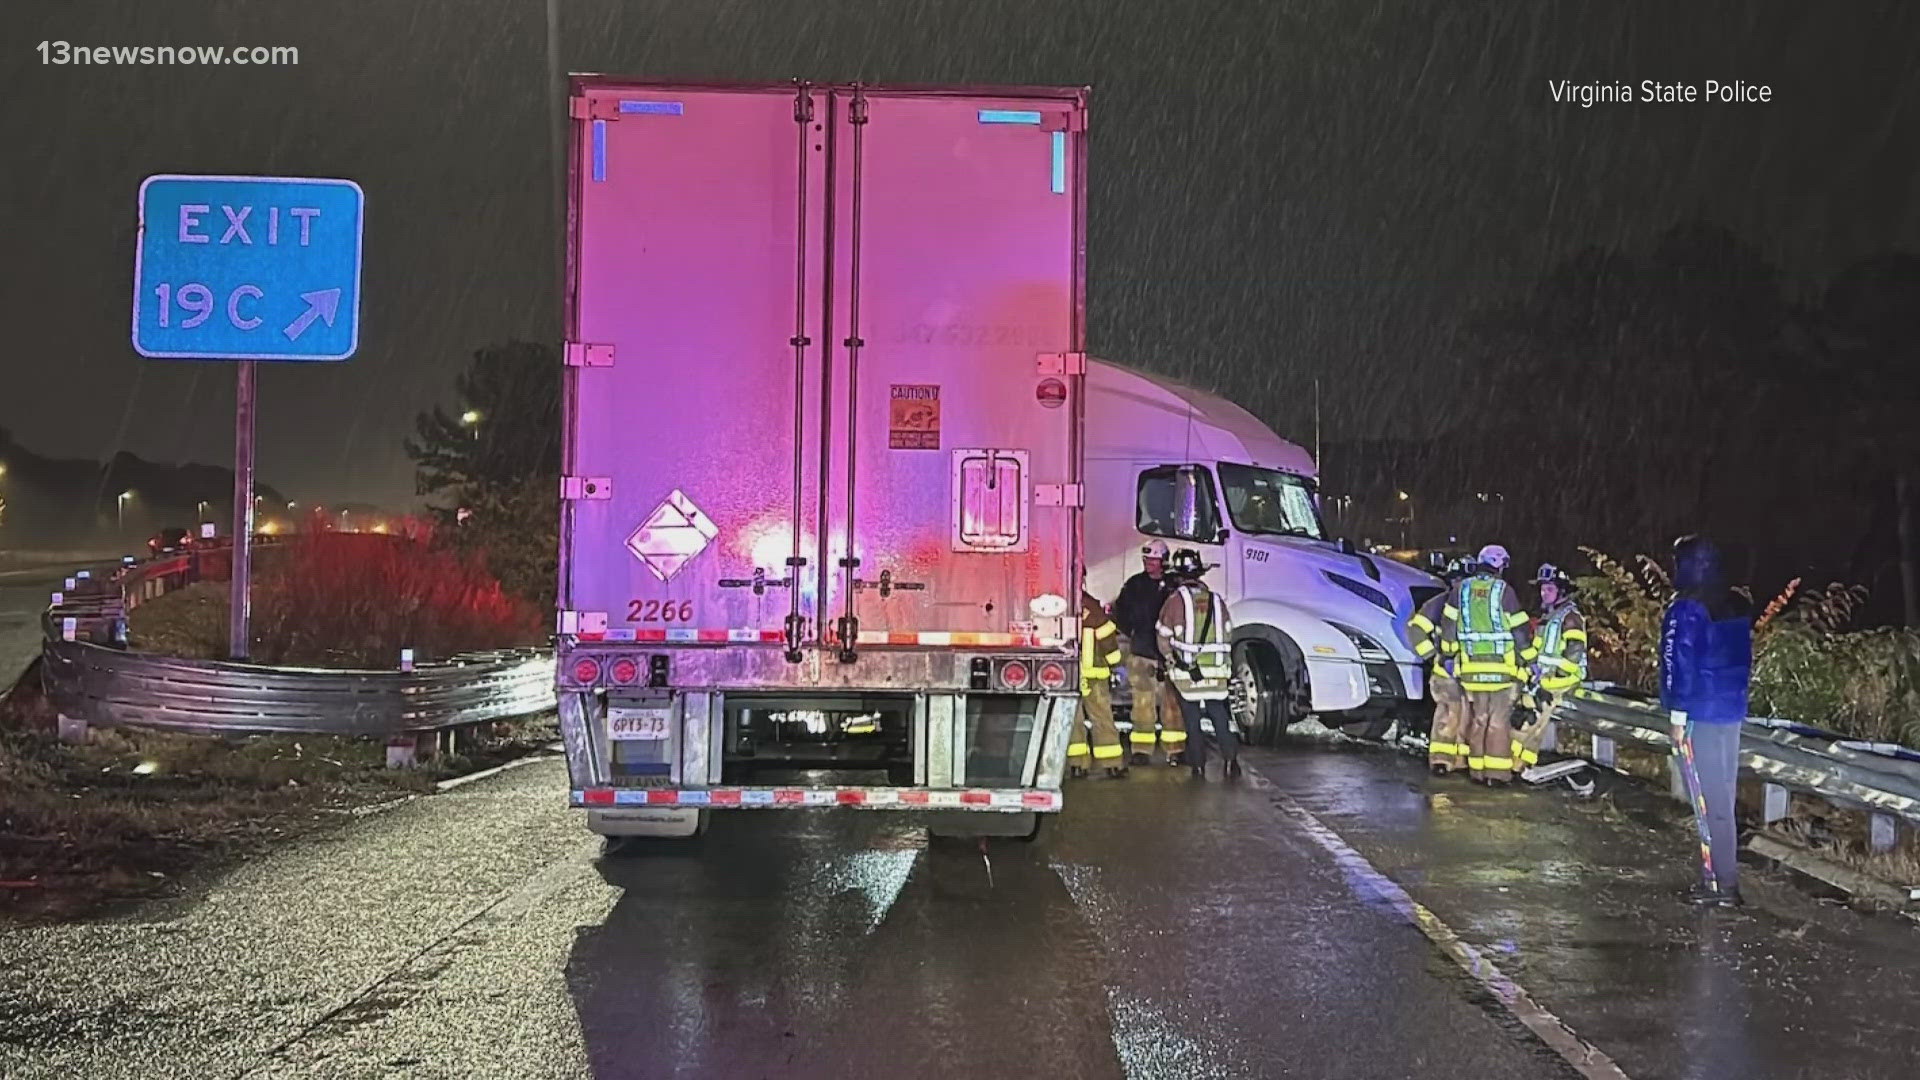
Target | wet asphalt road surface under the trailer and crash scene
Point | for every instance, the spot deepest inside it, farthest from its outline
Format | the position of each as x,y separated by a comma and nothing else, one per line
1159,929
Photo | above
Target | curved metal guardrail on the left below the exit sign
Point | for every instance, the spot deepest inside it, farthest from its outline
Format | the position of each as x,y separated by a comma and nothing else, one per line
93,677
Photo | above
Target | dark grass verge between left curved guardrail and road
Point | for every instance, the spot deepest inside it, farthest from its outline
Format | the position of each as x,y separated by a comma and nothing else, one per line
128,816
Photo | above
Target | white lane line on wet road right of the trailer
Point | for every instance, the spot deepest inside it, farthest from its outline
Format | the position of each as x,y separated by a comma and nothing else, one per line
1522,1006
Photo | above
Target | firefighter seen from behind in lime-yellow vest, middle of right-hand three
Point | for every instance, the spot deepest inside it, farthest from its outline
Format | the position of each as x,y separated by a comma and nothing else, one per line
1485,629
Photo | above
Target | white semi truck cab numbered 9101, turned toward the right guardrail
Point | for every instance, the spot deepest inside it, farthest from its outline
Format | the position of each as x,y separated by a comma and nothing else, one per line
1318,626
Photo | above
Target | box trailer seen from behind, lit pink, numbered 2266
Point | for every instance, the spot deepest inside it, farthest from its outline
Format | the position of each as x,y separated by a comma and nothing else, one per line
823,453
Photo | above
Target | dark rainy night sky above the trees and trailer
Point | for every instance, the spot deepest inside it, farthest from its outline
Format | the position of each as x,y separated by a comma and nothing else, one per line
1282,189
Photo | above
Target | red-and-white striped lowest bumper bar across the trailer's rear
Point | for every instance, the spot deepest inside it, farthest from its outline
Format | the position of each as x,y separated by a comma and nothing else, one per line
984,800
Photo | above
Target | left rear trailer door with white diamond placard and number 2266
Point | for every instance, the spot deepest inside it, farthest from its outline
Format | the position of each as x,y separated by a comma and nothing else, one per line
694,360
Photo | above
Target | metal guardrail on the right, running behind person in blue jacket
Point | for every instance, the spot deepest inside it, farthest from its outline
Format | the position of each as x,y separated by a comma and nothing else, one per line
1783,754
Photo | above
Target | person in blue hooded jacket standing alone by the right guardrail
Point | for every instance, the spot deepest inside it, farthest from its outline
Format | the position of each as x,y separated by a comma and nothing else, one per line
1706,660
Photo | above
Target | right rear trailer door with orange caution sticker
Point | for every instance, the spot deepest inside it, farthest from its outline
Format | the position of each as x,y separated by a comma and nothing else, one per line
951,439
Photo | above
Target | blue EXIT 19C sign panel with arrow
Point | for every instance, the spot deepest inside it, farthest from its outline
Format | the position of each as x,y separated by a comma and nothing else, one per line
249,268
